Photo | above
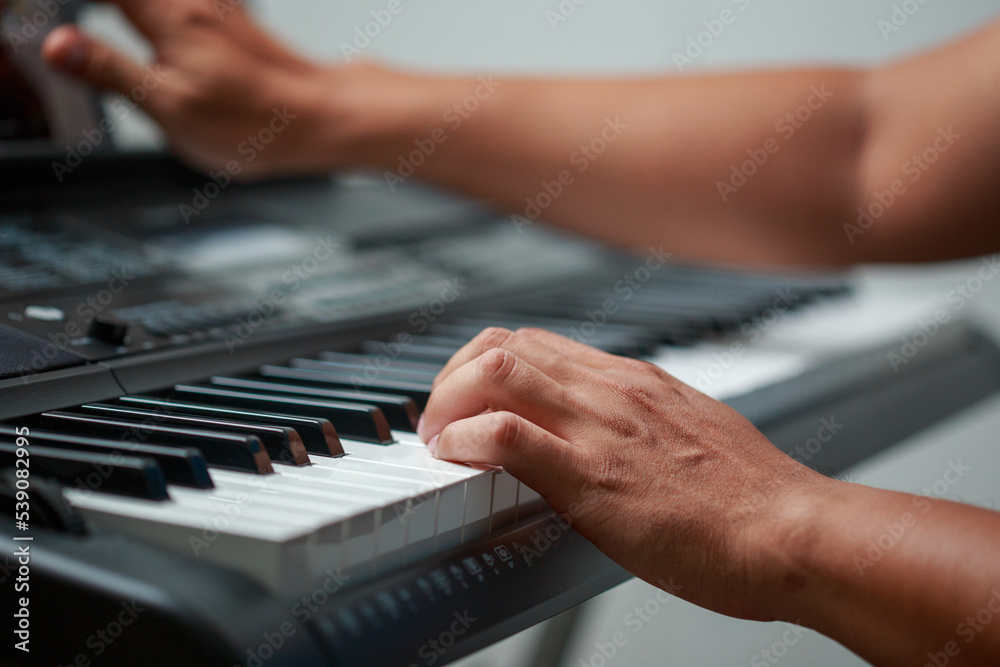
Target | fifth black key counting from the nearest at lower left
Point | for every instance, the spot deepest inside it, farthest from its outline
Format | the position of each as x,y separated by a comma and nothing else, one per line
318,435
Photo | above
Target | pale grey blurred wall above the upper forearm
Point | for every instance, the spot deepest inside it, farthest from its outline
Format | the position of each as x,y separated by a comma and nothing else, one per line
619,34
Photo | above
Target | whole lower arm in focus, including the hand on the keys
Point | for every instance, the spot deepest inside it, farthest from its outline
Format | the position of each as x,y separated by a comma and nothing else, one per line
689,496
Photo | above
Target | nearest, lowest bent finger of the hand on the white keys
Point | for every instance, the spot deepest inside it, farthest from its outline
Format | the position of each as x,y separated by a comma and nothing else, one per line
546,463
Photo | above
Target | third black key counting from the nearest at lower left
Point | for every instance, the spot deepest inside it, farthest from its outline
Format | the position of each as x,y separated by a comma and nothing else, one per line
223,450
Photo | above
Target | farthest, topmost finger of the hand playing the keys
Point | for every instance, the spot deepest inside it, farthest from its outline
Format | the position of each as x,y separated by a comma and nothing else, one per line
525,343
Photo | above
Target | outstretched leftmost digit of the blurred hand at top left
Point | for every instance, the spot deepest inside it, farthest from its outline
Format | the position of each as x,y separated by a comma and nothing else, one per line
73,52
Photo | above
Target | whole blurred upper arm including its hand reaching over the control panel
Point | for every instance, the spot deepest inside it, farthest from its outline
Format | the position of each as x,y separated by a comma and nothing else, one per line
667,174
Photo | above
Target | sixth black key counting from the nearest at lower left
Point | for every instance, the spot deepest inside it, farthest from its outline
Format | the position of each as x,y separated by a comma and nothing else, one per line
353,420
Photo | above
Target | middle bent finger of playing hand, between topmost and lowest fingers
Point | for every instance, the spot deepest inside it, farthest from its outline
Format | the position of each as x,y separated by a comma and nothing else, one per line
498,381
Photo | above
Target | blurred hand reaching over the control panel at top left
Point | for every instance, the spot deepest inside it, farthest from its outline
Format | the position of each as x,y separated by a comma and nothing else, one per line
219,84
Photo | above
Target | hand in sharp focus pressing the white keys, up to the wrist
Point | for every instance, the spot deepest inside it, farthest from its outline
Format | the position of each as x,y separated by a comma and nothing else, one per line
669,483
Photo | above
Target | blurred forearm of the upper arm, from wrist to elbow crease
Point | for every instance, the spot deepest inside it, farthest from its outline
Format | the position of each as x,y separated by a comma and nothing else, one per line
725,168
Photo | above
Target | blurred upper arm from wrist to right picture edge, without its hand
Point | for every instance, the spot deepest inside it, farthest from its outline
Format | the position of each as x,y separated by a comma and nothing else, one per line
782,167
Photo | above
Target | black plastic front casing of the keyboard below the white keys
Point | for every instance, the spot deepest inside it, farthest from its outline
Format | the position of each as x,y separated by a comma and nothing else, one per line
123,602
